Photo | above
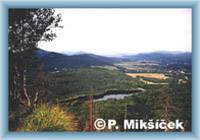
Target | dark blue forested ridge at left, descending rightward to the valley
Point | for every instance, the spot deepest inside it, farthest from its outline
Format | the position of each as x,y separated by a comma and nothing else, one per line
53,60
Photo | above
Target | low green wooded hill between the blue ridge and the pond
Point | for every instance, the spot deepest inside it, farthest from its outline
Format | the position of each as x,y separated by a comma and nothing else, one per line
83,81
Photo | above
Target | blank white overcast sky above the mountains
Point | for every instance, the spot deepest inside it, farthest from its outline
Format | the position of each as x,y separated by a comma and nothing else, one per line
122,31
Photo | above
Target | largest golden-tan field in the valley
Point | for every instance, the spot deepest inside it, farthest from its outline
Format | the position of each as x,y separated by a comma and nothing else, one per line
149,75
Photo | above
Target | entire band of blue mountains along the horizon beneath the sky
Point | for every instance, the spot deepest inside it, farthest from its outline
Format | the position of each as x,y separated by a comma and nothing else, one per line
53,60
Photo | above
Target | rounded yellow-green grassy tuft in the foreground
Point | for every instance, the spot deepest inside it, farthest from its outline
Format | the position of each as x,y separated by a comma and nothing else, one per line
49,118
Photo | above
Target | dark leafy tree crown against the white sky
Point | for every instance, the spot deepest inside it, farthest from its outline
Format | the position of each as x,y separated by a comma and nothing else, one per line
28,26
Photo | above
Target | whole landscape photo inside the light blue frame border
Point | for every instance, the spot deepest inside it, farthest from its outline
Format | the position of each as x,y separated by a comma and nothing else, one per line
69,67
